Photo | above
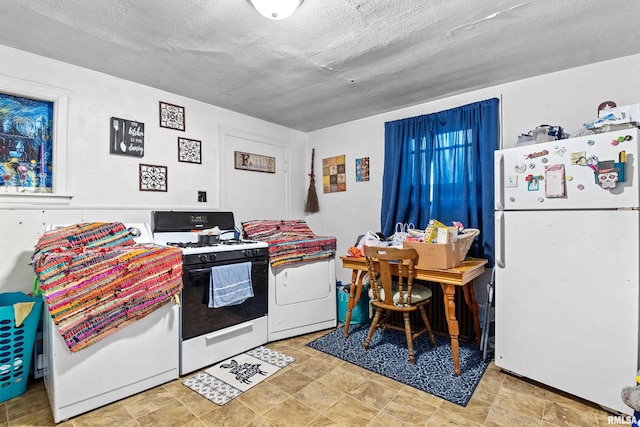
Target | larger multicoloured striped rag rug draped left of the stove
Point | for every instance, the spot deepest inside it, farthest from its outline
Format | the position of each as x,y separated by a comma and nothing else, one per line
95,279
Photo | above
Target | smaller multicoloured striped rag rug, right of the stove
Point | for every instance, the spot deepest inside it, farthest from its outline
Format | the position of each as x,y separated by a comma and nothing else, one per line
290,241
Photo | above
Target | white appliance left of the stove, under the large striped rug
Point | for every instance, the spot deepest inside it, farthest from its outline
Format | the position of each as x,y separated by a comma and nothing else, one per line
140,356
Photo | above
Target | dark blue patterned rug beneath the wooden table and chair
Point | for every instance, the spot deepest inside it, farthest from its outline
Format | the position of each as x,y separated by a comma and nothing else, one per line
388,355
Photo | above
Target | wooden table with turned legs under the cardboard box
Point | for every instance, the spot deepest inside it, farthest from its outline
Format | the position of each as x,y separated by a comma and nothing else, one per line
449,279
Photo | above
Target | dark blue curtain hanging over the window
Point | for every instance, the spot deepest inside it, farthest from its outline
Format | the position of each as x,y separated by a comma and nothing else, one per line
440,166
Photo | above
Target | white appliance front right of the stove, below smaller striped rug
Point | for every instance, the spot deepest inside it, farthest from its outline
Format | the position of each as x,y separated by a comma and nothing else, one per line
302,298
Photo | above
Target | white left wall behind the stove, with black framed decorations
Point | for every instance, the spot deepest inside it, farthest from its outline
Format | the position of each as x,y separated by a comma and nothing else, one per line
105,187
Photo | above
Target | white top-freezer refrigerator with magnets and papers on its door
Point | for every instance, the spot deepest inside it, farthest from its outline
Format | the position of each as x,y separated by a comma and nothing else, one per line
567,294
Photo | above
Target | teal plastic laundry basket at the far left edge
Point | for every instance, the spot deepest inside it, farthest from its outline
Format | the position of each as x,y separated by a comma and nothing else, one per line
16,342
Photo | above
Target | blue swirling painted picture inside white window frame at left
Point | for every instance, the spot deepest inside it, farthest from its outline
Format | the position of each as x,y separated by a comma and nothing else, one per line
26,144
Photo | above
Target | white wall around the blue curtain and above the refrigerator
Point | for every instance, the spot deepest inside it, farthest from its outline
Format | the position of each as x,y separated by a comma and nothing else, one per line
568,99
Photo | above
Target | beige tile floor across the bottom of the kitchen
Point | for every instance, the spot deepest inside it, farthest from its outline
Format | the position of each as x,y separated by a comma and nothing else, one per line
320,390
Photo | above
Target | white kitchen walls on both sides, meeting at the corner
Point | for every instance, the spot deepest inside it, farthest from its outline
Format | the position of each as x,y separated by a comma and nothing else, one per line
105,187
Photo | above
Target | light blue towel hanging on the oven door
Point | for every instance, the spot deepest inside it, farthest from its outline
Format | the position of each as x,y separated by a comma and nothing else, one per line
230,284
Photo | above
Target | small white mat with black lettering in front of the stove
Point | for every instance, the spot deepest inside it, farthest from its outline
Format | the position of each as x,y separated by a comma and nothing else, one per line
232,377
